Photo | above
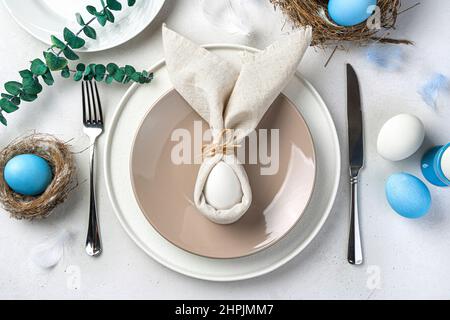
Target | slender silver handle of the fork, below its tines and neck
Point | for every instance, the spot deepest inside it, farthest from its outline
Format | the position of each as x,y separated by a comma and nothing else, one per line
93,242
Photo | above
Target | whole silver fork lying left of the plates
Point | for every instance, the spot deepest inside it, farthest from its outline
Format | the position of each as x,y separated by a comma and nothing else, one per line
93,128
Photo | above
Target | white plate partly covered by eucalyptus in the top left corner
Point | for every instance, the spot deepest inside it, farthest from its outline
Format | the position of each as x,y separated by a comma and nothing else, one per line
43,18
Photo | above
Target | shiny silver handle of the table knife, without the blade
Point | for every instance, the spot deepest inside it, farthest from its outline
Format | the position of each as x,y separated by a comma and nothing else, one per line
354,243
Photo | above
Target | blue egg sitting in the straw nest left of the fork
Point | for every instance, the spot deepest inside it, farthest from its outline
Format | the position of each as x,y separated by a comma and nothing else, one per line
28,174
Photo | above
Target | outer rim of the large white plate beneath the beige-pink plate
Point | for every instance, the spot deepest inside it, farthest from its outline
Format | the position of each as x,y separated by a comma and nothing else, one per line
107,153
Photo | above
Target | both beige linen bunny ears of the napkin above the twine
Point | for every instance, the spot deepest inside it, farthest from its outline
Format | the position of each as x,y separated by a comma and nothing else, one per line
207,82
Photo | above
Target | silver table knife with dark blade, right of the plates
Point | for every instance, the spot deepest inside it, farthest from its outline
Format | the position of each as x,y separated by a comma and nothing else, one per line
356,157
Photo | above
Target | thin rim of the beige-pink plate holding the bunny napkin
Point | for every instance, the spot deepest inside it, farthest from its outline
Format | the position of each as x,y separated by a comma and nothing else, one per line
300,215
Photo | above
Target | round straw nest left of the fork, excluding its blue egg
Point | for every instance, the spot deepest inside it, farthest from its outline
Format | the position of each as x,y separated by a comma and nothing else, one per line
62,165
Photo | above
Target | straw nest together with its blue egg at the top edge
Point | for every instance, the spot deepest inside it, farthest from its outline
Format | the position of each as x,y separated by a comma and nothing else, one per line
375,27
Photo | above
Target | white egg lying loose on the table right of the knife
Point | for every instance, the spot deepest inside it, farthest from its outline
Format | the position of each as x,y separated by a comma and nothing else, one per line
400,137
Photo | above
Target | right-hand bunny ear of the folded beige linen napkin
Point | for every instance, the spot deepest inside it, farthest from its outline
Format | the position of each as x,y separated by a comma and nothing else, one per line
263,76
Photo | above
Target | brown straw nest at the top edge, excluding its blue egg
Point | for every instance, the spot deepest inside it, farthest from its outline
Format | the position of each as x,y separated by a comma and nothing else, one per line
314,13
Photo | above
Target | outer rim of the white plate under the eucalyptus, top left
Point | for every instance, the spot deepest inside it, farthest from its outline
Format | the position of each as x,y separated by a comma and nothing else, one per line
47,41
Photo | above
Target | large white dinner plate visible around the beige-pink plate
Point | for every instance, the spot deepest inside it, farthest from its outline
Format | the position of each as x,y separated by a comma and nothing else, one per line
120,136
